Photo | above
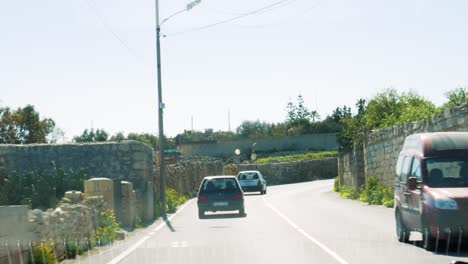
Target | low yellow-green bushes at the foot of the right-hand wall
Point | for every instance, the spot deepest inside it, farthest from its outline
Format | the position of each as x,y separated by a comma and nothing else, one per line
372,192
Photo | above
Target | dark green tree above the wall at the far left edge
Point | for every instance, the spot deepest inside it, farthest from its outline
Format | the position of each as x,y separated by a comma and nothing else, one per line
24,126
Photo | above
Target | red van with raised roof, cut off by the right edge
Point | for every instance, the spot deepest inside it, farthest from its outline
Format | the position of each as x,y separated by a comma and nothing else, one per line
431,188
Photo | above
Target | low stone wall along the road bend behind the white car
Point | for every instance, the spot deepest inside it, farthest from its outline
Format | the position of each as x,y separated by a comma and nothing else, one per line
290,172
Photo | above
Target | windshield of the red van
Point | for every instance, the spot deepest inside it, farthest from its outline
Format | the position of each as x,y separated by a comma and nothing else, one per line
447,172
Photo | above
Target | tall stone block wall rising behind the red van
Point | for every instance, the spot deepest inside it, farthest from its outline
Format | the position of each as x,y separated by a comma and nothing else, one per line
381,147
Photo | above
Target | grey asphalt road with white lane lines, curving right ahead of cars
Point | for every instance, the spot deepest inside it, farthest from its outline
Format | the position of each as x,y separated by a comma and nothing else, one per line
297,223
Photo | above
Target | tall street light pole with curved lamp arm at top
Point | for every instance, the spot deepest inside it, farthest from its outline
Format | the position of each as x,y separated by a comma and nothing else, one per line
162,165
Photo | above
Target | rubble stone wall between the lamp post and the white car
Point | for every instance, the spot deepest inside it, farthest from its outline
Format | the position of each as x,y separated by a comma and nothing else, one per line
184,175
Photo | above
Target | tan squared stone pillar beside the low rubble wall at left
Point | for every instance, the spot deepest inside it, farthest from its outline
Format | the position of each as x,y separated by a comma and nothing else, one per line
100,187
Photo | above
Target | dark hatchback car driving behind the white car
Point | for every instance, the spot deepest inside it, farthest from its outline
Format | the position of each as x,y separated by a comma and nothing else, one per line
220,193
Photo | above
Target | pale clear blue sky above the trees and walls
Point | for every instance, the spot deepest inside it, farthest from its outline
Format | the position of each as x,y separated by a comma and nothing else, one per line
92,62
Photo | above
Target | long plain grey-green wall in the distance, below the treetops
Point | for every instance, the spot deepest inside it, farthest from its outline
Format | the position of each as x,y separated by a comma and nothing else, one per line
226,149
